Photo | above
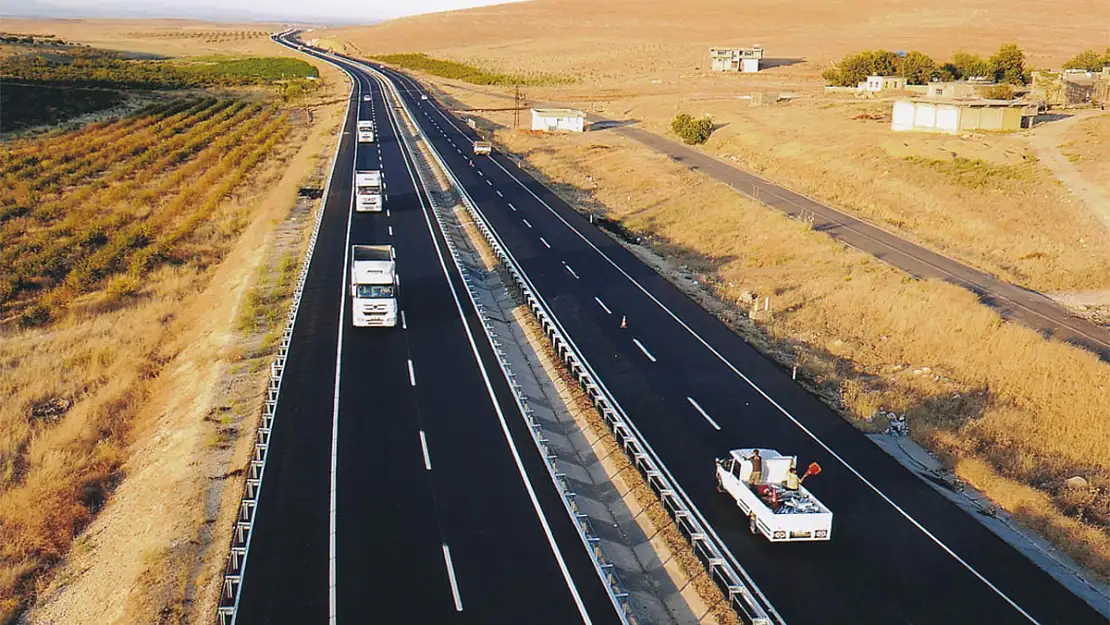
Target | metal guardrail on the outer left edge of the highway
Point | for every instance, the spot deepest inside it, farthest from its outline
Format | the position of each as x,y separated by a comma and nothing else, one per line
228,607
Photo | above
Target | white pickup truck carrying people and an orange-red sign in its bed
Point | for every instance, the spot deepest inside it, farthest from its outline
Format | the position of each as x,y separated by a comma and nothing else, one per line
778,513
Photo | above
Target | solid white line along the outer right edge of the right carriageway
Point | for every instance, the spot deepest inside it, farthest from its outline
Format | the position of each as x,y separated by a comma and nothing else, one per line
721,357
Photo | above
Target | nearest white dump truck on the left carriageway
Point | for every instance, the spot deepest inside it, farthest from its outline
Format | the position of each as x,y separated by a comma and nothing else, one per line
374,287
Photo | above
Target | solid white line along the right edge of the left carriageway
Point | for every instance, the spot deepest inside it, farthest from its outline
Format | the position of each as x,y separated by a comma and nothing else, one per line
493,399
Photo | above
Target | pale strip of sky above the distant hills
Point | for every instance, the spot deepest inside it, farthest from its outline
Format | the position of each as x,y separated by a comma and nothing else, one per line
213,9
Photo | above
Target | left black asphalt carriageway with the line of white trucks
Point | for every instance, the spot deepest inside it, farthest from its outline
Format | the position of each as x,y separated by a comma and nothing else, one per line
402,483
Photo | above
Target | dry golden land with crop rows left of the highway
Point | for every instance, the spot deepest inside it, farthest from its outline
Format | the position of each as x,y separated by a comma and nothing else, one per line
137,251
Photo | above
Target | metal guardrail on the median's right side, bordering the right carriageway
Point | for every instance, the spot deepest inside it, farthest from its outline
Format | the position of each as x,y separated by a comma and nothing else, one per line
705,548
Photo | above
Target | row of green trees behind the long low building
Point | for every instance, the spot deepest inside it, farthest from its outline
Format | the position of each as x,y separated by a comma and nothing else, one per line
1007,66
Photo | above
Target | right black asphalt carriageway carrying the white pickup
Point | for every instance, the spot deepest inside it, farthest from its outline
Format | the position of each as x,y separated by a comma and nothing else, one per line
901,552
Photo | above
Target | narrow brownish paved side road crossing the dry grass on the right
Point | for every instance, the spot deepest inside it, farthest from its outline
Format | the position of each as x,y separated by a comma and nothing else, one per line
1015,304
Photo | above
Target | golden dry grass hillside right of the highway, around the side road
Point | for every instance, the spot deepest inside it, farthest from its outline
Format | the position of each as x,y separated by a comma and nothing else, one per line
1011,412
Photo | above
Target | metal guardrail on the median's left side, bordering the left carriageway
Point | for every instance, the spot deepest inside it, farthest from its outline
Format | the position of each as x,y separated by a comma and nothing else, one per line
587,532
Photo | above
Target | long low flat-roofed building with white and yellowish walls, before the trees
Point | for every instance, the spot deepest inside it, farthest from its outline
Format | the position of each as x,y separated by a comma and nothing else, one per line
962,116
